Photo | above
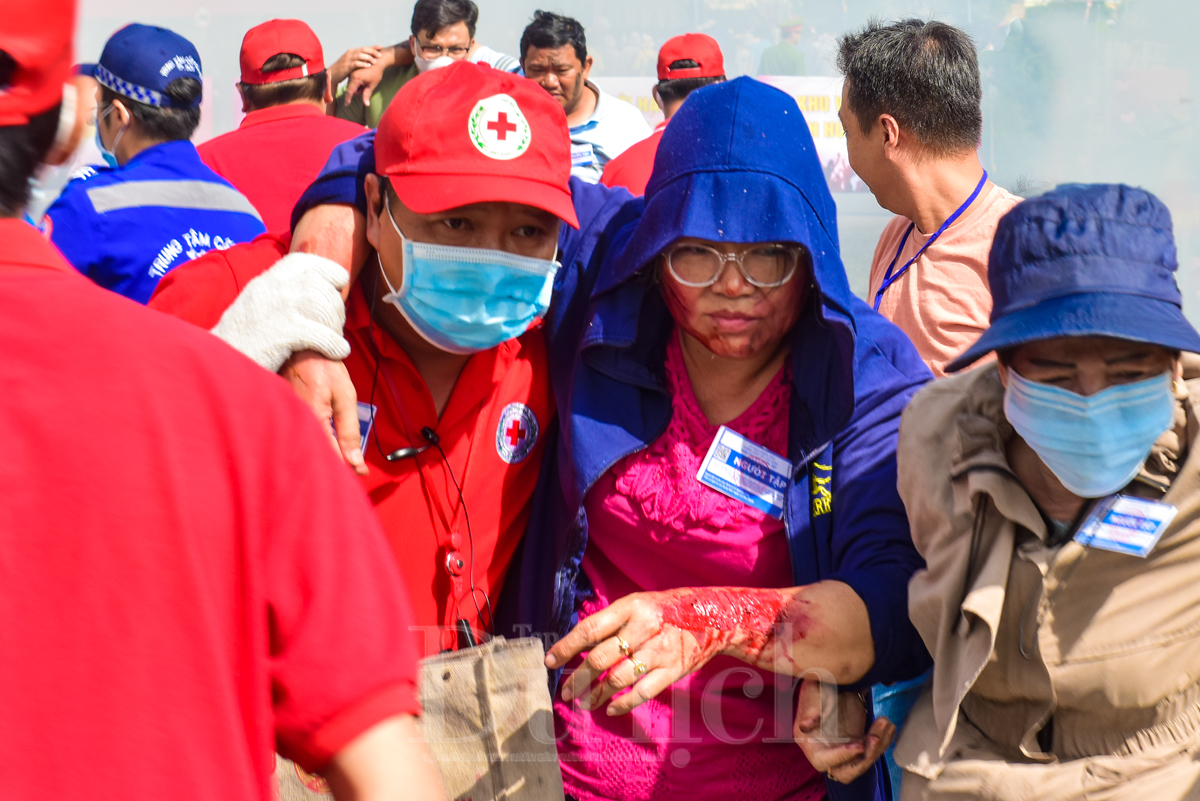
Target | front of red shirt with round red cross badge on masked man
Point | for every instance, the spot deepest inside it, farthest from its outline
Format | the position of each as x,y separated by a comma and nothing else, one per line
493,432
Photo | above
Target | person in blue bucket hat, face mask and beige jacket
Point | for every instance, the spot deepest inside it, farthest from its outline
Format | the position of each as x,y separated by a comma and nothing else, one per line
1055,503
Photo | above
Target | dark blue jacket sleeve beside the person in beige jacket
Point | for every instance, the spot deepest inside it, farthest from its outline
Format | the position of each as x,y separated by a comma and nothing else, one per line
873,550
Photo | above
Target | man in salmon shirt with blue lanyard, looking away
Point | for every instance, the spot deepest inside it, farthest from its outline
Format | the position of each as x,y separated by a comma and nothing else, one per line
911,110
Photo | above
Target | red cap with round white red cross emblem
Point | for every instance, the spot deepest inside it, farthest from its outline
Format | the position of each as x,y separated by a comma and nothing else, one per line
469,134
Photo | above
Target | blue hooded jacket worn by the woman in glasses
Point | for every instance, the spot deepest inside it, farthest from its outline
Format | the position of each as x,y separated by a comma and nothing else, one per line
737,164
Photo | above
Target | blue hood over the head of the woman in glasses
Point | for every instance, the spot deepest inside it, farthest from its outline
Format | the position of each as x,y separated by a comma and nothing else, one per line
739,165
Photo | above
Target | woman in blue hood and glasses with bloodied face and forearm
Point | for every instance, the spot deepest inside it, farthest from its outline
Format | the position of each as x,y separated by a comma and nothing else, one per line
722,312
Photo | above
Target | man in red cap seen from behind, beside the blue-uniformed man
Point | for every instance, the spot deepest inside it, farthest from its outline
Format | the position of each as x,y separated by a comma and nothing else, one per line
286,136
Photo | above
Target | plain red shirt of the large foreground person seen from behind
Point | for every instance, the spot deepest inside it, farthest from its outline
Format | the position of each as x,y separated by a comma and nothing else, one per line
189,580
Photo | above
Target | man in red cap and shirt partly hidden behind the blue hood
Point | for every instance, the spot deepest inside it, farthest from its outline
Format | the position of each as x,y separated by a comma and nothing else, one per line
686,64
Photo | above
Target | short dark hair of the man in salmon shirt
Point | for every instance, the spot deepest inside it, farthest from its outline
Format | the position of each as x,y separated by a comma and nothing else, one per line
923,74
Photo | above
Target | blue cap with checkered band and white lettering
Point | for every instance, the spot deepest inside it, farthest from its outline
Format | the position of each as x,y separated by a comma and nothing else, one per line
140,62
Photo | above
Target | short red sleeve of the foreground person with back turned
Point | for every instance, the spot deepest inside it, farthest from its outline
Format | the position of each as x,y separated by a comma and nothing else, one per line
343,643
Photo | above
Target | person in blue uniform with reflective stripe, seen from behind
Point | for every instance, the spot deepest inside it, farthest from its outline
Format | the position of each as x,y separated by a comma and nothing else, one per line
157,204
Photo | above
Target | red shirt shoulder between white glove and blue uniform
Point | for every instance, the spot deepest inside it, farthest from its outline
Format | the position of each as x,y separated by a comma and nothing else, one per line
202,290
